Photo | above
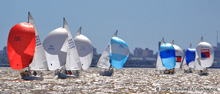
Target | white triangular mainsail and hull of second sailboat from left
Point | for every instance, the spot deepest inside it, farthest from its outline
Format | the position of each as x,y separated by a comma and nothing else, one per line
72,57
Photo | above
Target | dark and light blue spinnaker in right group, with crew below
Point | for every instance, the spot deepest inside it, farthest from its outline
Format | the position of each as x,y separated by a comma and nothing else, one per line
168,57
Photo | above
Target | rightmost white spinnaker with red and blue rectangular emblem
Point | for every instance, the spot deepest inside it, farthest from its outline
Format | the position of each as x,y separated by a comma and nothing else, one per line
206,61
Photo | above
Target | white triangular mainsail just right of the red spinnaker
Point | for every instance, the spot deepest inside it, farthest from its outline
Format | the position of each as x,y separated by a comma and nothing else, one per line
39,61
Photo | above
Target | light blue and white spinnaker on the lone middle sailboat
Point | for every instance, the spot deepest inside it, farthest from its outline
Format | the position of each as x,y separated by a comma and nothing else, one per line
119,52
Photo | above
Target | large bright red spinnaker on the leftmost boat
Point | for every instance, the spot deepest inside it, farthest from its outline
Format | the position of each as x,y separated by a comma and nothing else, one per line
21,45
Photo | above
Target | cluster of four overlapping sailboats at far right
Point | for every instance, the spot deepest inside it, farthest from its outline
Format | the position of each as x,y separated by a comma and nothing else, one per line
171,57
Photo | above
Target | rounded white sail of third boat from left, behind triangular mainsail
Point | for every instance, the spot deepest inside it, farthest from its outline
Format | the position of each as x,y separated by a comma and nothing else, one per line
84,48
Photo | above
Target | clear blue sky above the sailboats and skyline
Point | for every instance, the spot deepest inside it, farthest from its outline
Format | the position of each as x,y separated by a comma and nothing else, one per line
141,23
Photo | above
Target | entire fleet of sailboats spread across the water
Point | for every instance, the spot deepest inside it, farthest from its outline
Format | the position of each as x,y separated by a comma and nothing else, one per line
67,55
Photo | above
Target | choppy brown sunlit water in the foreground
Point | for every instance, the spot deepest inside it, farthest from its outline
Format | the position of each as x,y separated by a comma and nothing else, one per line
126,80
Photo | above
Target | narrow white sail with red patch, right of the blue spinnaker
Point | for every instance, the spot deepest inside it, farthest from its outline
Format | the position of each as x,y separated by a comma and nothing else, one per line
179,55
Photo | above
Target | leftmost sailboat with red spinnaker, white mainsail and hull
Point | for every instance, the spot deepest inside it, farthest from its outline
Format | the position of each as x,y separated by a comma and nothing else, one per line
24,47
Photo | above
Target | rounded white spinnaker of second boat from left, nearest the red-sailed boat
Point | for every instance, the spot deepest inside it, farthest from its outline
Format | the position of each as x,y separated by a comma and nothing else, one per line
52,45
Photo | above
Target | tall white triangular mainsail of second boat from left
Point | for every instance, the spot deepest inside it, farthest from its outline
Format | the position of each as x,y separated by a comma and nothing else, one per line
72,58
